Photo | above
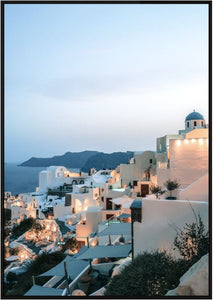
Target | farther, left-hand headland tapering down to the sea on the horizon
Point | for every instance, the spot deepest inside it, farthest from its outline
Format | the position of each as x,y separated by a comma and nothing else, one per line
68,160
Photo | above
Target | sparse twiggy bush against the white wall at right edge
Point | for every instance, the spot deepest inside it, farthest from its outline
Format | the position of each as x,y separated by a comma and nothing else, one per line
193,241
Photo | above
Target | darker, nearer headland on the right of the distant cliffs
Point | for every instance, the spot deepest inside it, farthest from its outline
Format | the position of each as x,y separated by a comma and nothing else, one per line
106,161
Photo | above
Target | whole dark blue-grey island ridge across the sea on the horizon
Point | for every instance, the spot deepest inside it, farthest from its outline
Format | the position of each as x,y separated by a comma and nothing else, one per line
84,160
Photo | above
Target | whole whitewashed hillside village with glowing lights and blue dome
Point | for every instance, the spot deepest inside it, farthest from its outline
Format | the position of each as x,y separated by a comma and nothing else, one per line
109,217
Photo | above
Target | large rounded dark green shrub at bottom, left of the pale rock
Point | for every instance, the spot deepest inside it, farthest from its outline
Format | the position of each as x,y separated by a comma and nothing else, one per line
149,274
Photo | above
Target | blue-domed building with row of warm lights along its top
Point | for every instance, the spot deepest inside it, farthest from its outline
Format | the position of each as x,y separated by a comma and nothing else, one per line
184,157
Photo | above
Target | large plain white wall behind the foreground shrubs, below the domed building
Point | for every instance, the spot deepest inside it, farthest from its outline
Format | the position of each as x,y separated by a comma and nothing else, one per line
157,216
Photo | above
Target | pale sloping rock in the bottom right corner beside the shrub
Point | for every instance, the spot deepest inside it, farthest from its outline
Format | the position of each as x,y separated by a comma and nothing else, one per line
195,281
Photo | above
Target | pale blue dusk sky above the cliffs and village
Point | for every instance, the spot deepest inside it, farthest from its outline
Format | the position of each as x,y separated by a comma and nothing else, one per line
101,77
